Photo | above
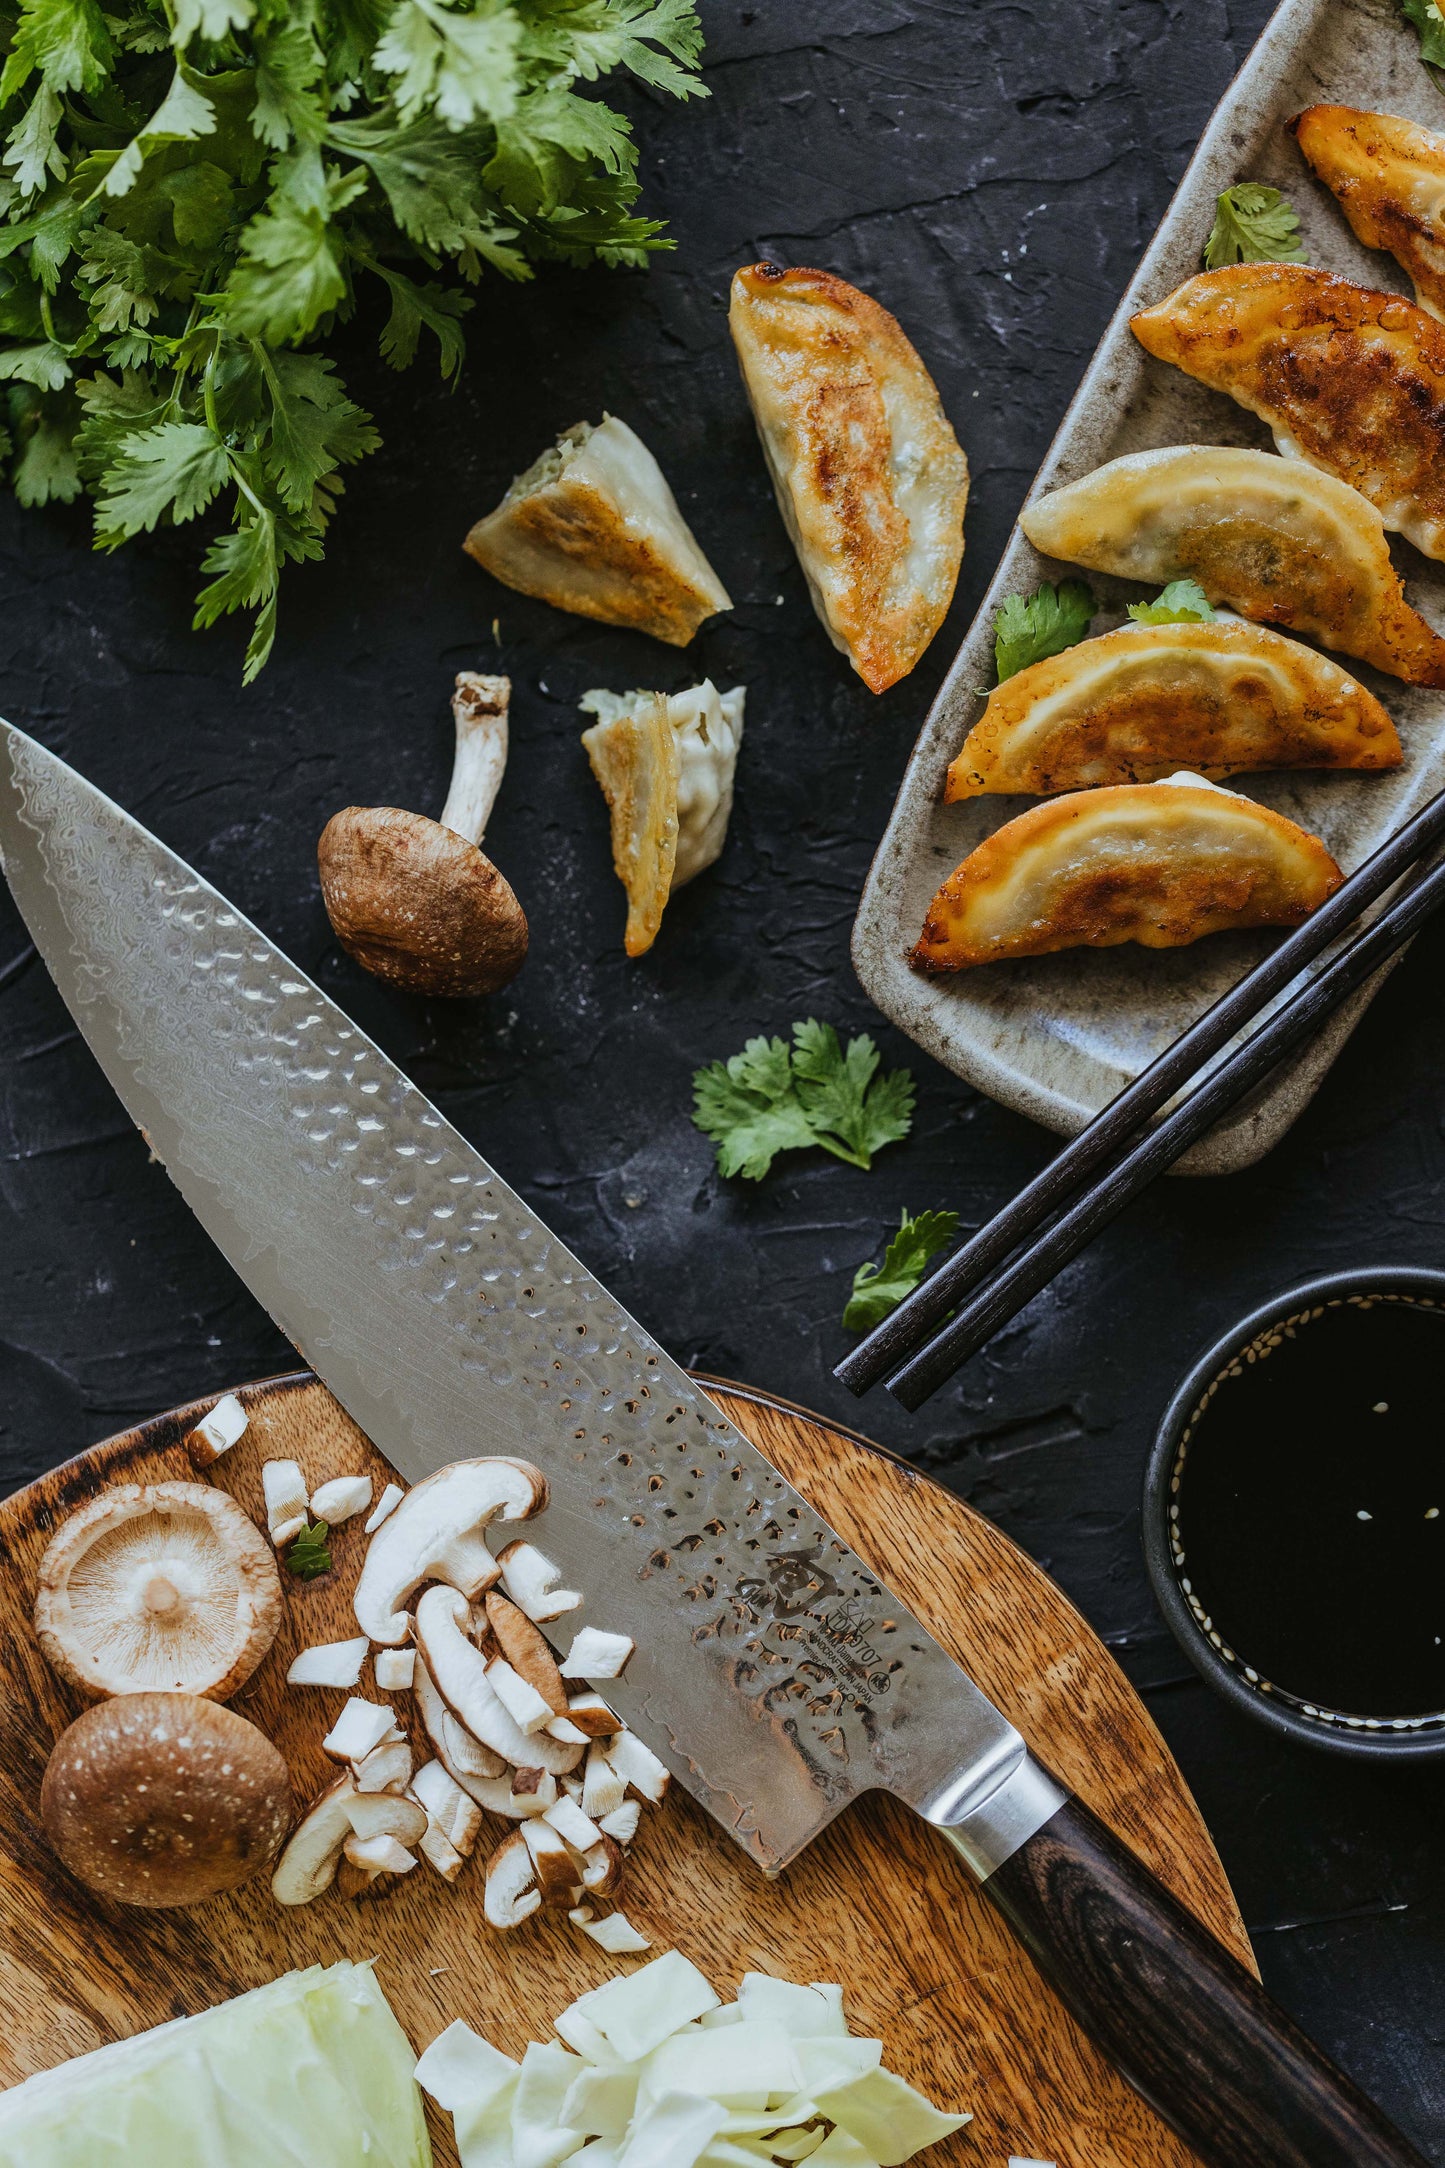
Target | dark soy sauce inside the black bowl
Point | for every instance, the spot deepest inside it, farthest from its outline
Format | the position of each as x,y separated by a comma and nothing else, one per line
1312,1510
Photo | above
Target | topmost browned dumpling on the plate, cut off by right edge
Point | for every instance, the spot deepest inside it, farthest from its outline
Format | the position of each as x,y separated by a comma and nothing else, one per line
1390,179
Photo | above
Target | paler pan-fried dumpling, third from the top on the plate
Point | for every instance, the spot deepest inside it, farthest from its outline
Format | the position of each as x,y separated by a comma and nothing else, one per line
1275,539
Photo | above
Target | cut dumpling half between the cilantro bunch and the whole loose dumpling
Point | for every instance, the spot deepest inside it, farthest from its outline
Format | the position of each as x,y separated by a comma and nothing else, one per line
595,528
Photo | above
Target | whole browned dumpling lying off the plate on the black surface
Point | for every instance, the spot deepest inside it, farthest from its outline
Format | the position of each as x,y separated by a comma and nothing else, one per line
870,476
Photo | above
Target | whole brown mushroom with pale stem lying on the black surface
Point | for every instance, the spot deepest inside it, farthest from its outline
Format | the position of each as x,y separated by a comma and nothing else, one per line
417,901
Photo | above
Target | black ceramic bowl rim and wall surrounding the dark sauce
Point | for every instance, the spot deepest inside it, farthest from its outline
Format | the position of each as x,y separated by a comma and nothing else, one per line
1364,1735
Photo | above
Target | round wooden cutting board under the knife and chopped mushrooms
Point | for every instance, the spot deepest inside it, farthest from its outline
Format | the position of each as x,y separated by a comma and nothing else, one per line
878,1902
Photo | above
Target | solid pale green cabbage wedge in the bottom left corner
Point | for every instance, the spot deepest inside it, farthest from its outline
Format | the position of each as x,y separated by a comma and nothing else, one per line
311,2072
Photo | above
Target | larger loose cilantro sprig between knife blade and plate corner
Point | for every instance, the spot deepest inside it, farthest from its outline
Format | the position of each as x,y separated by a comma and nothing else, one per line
774,1098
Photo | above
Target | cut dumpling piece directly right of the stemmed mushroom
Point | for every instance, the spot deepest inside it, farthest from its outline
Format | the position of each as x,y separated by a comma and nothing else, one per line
666,766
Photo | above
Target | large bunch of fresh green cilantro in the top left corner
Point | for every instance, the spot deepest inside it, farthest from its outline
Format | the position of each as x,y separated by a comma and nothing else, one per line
196,192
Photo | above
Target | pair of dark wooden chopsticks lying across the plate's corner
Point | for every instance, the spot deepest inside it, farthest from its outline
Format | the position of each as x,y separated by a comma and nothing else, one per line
902,1337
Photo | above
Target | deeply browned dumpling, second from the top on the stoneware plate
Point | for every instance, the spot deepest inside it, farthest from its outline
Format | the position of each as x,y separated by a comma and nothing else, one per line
1349,378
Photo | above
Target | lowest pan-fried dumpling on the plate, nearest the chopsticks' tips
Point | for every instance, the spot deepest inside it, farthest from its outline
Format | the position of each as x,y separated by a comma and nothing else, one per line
1160,864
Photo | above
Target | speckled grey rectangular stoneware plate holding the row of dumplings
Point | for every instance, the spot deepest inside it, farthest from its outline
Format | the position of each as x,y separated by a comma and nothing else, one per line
1058,1037
